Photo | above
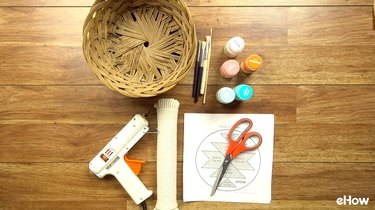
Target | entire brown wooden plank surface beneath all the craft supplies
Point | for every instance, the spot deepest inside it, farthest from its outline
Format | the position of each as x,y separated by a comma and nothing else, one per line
318,80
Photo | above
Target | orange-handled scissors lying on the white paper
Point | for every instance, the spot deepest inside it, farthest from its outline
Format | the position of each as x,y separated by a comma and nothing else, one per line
237,146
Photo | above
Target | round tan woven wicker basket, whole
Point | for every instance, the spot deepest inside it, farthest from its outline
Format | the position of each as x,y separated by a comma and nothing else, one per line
139,48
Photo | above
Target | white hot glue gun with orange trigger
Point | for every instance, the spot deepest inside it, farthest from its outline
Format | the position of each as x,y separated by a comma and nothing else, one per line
111,159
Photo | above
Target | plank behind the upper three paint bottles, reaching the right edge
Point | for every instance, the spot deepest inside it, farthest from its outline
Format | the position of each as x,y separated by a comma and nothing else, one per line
300,65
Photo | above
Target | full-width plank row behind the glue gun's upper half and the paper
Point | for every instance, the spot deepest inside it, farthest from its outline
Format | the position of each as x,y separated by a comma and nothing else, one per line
81,142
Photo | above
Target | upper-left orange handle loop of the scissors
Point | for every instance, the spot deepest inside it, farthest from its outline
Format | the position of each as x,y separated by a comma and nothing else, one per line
234,143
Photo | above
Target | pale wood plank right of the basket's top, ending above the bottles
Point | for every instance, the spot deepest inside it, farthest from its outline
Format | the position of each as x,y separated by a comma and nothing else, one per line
266,26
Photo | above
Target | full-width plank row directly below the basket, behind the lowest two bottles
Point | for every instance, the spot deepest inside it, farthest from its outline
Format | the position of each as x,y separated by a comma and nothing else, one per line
93,104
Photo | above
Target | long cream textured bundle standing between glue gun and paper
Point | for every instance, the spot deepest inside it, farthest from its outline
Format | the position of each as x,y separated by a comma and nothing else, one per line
167,113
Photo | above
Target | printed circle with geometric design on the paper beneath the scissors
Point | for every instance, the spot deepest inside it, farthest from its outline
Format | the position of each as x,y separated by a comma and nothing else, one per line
210,155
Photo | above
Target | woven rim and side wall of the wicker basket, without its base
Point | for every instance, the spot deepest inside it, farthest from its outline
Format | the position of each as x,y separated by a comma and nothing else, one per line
127,86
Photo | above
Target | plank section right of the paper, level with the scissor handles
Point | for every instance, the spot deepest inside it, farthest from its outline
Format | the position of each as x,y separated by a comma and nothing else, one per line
324,143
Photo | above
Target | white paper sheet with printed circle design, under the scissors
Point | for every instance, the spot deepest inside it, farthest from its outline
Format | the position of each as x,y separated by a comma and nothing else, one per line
248,178
